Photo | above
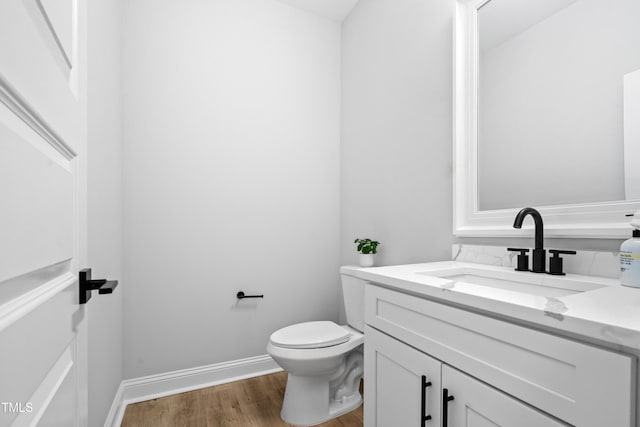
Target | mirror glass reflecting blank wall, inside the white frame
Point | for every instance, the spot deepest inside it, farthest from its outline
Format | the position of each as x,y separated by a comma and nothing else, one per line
558,102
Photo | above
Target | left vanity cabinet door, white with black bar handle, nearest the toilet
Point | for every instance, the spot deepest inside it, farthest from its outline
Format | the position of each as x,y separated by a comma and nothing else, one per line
402,385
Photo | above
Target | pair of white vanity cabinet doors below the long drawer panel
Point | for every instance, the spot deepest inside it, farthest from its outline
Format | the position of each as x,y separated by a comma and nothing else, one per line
407,388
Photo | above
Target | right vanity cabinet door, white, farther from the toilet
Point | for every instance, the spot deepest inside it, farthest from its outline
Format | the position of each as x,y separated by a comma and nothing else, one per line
476,404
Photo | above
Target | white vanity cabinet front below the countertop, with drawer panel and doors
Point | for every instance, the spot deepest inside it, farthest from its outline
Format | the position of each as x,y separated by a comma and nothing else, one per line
499,373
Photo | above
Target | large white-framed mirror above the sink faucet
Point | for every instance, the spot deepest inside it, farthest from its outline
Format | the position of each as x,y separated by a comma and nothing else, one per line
547,115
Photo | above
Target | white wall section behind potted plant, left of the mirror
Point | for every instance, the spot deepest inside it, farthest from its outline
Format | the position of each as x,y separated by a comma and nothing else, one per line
396,129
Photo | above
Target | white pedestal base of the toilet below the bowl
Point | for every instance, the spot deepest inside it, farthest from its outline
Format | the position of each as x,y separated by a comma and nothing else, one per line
312,406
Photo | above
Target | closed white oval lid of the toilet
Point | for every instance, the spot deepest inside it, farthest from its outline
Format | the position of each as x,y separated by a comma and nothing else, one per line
310,335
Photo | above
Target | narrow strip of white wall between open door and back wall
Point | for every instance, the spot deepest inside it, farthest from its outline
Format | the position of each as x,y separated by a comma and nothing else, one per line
104,148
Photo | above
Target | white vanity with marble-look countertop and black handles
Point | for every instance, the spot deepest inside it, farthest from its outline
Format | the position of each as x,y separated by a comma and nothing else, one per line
460,344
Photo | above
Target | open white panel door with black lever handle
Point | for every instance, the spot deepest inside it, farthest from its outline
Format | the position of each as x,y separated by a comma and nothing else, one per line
42,213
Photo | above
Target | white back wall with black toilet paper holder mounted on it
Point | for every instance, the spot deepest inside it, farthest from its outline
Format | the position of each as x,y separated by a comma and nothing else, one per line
231,130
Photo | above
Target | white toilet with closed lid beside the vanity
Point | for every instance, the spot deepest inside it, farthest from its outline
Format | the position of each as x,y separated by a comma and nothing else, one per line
324,361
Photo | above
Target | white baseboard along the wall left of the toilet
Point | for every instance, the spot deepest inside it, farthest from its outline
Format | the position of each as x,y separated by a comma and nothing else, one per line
155,386
